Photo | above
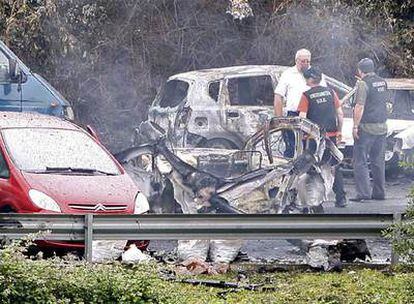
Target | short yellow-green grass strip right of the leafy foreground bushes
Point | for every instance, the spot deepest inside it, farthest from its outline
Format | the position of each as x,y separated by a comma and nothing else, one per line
359,286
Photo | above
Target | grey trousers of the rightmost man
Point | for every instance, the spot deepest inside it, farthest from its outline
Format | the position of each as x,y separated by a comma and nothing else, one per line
369,147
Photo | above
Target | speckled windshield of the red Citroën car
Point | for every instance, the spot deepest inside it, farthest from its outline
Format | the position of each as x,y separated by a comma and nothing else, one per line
43,150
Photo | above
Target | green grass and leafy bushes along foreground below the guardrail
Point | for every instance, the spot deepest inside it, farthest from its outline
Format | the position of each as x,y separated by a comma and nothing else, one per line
68,281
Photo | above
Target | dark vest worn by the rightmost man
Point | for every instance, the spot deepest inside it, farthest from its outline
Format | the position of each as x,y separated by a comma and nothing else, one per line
375,109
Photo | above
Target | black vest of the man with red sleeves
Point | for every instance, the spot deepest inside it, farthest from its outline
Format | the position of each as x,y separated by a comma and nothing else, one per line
322,108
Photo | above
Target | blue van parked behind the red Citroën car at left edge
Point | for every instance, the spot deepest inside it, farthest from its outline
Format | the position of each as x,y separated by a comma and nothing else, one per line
24,91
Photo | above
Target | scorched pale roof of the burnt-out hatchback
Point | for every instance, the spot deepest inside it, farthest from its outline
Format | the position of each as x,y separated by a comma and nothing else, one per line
220,73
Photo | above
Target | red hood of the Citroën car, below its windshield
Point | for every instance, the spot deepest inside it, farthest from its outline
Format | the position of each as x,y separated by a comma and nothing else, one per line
74,192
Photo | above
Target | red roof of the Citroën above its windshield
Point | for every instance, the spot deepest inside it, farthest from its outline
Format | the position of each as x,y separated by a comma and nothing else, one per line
33,120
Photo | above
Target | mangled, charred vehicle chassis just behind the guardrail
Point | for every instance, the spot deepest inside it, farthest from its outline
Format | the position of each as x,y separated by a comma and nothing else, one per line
256,179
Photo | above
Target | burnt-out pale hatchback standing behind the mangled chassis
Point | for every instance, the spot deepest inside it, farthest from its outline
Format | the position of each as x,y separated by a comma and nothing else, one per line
218,108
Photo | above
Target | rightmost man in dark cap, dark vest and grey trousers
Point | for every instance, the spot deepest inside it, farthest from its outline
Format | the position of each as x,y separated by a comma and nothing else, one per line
369,131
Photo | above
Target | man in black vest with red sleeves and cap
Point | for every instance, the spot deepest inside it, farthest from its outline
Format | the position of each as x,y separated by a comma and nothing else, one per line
322,106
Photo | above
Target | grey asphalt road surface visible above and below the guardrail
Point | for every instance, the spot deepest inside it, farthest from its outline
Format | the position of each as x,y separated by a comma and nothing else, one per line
281,251
